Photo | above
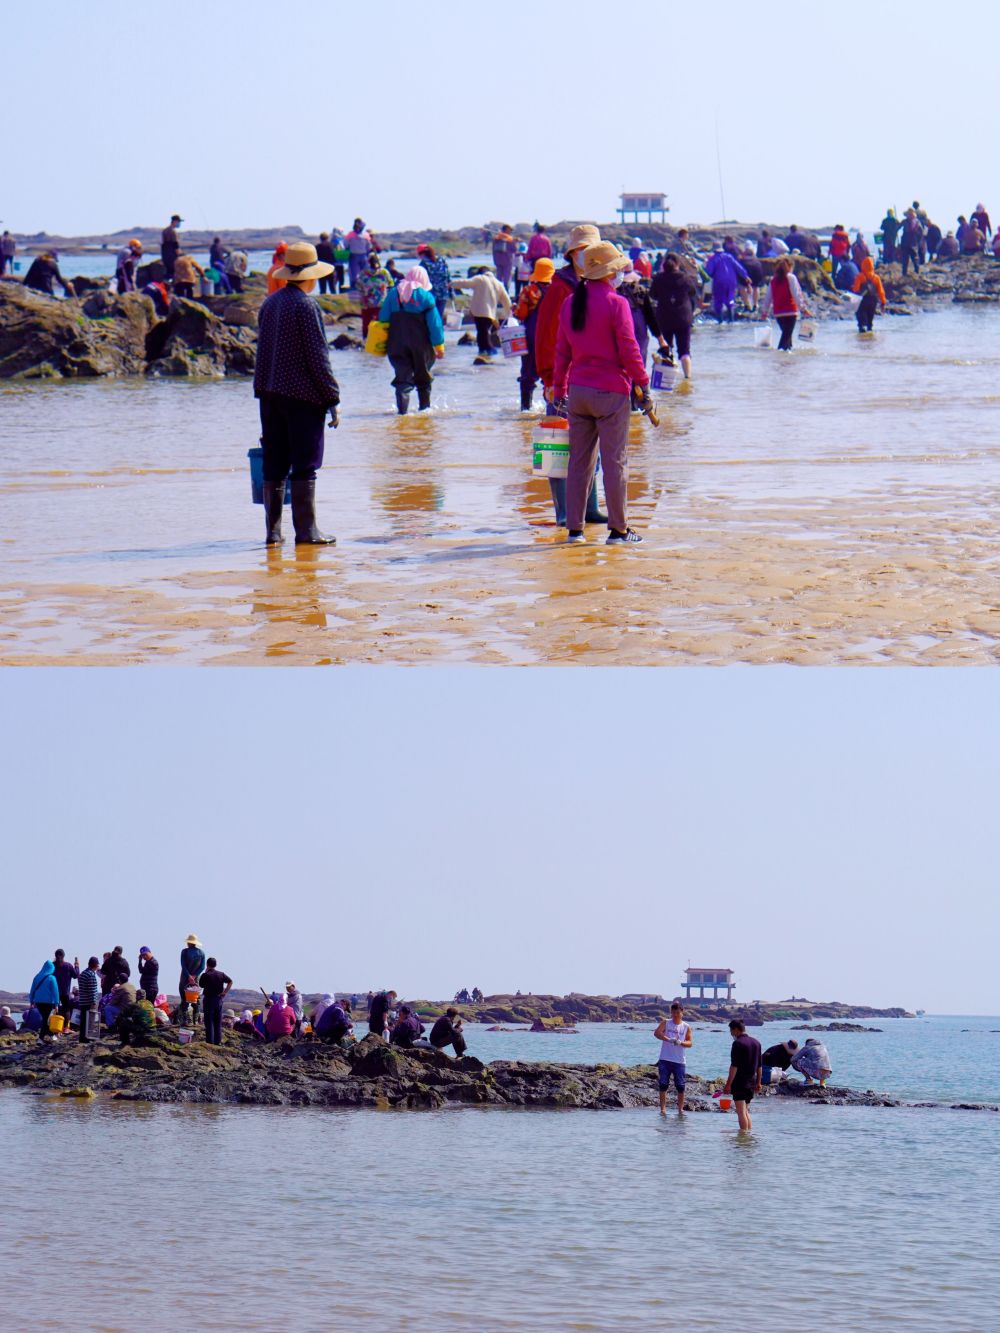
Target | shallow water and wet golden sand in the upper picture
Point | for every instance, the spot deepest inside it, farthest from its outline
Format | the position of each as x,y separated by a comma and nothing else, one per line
835,506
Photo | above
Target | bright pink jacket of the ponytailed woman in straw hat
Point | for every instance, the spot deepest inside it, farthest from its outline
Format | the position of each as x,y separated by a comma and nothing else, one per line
605,355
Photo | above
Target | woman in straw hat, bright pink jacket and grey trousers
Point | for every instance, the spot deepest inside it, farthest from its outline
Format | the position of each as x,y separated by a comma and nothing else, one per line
598,367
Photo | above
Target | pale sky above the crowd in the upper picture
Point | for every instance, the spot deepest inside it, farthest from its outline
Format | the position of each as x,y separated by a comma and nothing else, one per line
447,115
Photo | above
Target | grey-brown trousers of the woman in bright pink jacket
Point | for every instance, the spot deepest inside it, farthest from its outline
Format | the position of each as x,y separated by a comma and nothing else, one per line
598,418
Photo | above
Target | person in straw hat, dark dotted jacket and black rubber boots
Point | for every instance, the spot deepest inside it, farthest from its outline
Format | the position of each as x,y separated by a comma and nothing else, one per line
295,385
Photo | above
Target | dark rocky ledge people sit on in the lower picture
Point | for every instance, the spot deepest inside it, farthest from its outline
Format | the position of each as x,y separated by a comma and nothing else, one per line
370,1074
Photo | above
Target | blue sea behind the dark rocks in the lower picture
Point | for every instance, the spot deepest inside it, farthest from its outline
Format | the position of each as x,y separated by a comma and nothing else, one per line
947,1059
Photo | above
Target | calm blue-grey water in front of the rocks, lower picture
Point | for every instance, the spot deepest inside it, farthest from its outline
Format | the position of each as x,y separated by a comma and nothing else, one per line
255,1219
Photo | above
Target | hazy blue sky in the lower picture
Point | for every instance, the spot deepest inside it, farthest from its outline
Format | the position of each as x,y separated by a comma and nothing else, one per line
825,834
